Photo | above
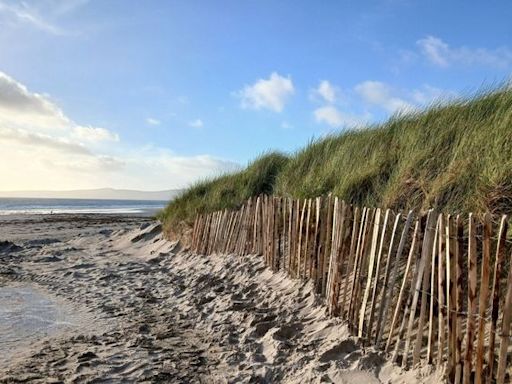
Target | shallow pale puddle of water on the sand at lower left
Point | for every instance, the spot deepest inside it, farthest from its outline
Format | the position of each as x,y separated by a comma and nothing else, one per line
27,315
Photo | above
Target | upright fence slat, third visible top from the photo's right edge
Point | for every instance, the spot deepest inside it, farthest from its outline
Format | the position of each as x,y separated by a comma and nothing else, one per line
472,309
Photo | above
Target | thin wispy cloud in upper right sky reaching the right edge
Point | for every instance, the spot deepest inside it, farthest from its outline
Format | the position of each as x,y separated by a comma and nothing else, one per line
441,54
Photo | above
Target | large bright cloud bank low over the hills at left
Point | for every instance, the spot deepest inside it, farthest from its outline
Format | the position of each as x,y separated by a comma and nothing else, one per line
41,148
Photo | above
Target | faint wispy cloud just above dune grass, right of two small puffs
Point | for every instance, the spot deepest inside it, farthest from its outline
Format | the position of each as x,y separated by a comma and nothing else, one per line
380,94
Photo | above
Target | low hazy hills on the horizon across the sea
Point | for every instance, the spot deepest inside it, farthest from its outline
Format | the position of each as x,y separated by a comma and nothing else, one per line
102,194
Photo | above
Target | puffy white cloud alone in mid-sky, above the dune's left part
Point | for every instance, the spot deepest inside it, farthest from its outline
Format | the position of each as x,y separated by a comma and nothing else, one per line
271,93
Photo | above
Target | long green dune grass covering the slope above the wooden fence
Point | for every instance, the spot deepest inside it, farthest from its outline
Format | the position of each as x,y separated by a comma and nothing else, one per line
455,157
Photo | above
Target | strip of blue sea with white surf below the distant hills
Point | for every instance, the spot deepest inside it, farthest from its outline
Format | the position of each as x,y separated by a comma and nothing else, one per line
10,206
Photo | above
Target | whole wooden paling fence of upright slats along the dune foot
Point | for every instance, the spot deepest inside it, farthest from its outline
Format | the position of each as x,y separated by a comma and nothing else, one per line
427,289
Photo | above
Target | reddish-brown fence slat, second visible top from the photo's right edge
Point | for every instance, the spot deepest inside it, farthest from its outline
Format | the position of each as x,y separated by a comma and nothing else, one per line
483,299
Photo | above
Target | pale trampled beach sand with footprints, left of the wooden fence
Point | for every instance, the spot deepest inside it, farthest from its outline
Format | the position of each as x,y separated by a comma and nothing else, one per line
144,310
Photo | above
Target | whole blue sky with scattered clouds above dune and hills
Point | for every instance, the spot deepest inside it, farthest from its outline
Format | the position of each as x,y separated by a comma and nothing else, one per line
155,95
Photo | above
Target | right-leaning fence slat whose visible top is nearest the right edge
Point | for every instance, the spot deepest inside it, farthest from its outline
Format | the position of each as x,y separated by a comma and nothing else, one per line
495,293
